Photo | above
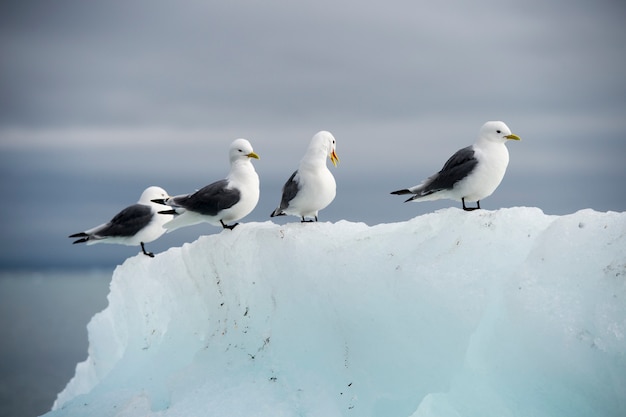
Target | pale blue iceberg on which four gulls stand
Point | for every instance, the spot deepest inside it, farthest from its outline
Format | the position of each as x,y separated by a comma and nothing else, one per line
493,313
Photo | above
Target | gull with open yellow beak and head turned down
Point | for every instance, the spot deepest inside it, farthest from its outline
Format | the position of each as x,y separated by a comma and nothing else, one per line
311,187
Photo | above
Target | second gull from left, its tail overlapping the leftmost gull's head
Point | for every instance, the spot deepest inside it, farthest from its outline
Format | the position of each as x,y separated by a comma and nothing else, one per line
223,201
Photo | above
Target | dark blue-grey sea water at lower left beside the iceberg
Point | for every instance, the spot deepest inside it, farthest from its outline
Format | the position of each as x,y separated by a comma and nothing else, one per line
43,334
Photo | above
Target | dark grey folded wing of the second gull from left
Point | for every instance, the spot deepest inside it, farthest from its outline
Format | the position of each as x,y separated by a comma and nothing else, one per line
210,200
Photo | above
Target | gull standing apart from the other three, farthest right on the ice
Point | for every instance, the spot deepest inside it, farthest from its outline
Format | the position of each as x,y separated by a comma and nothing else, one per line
472,173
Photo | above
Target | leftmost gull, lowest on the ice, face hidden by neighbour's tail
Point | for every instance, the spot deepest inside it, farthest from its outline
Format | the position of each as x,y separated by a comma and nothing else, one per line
135,225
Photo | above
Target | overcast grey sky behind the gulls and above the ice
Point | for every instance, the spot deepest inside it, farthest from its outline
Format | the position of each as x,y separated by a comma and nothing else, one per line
99,100
